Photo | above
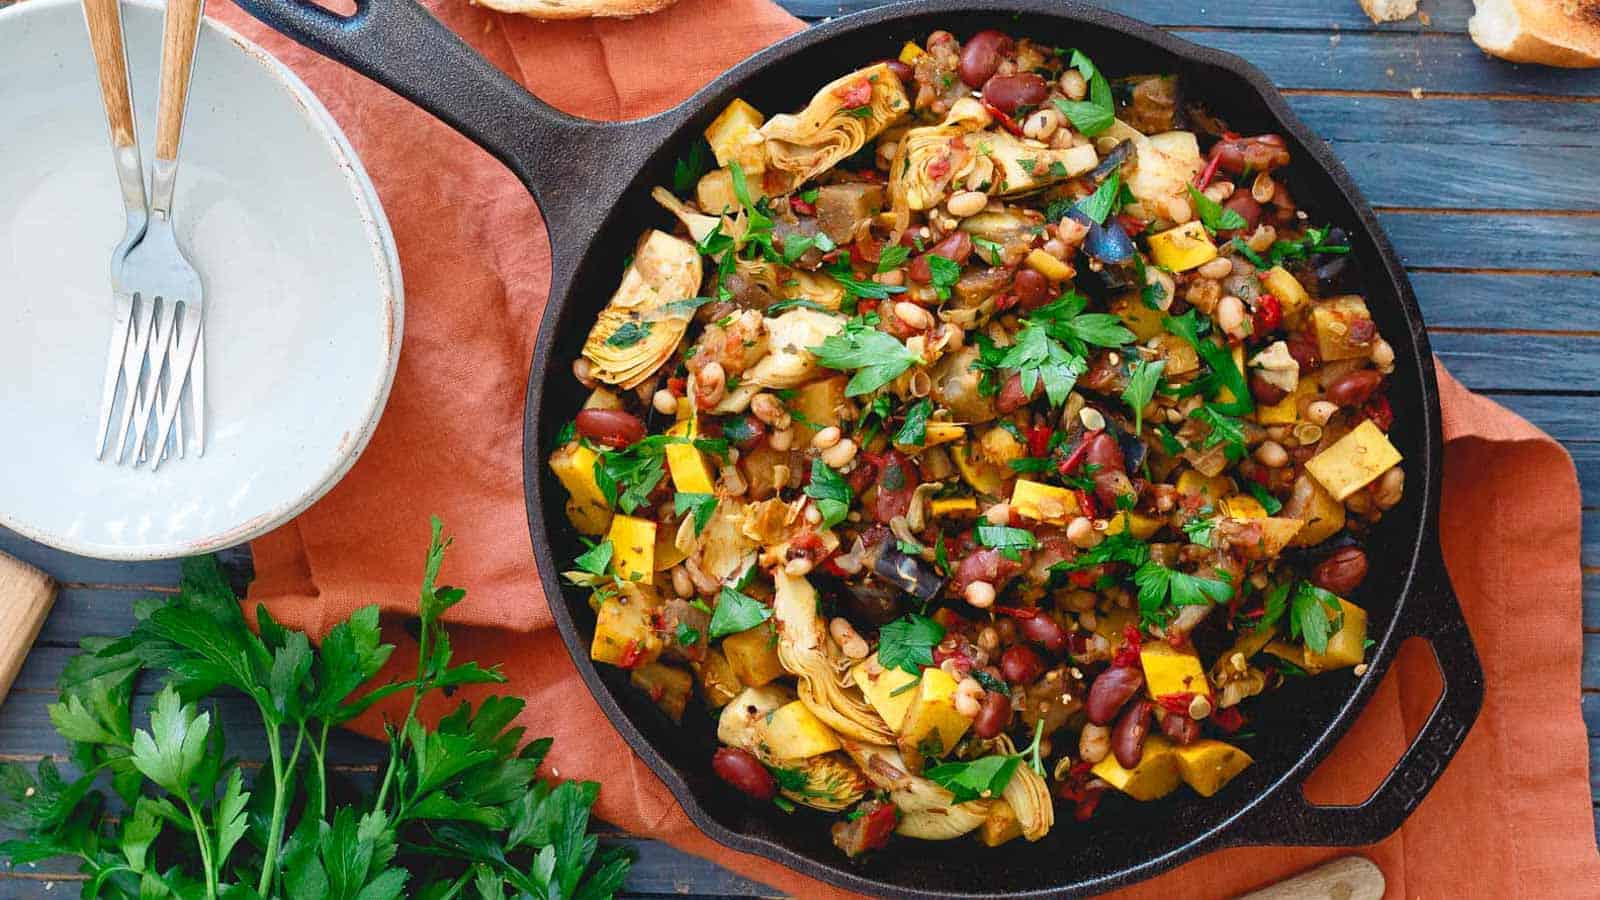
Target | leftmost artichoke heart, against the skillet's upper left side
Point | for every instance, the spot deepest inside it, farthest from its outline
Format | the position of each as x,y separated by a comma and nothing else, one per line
641,327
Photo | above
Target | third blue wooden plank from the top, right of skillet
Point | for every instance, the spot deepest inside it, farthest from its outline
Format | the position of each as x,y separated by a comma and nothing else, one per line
1452,121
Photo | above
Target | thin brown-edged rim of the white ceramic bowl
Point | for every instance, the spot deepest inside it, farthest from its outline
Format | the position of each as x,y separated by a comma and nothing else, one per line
386,273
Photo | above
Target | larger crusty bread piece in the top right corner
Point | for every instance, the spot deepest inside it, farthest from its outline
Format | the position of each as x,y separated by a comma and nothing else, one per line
1548,33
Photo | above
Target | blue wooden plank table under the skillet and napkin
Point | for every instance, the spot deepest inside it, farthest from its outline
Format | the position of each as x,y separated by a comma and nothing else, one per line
1486,175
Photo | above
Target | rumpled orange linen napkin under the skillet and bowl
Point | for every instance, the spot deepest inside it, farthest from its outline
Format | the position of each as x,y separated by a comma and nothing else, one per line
1511,818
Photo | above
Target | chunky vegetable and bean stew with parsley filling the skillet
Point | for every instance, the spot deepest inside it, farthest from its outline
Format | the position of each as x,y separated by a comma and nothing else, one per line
982,441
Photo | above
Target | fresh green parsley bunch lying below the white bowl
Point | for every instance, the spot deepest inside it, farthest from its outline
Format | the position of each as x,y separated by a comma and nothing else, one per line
458,808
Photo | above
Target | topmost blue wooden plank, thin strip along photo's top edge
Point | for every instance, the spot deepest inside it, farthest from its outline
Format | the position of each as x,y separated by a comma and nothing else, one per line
1452,15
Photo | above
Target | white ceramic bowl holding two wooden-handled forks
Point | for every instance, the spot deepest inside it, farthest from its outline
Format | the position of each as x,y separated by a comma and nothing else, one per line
303,295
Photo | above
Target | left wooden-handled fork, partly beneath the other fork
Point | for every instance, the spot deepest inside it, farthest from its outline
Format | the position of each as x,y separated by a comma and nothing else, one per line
126,355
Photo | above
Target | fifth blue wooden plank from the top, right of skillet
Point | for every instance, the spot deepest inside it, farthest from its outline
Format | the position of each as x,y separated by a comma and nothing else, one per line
1495,241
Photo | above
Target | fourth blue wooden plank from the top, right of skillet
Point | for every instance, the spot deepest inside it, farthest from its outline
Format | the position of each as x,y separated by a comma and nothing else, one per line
1470,177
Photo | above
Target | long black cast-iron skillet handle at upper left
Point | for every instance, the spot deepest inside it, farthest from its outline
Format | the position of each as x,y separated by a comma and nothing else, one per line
401,46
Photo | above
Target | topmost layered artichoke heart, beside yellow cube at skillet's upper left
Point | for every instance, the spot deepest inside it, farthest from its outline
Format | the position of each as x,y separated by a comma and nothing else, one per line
839,121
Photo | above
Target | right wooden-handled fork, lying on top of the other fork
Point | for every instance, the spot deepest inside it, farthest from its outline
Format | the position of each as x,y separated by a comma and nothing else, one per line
158,270
